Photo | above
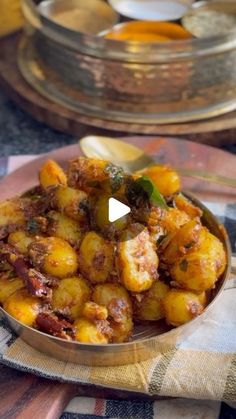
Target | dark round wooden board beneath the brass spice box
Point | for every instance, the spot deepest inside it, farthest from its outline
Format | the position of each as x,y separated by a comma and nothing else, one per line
63,119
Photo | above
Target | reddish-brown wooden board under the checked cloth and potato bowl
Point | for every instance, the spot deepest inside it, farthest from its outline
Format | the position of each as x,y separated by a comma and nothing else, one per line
24,395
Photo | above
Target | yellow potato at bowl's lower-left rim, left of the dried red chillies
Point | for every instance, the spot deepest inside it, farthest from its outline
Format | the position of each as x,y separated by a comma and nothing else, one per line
23,307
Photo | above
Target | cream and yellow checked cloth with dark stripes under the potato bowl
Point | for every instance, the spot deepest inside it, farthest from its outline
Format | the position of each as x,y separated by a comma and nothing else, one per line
198,375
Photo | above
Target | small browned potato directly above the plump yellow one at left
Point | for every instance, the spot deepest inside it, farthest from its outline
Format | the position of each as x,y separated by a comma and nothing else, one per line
64,227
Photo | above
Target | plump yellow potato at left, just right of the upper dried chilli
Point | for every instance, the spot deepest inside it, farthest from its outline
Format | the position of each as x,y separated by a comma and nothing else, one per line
53,256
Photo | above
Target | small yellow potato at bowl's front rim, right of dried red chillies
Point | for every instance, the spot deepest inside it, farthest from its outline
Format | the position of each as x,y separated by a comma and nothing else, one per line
88,331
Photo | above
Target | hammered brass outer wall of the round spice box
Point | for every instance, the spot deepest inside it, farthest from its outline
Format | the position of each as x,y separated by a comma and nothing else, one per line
129,81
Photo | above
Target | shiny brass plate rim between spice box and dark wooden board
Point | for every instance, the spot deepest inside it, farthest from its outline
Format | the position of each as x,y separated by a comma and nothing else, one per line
48,85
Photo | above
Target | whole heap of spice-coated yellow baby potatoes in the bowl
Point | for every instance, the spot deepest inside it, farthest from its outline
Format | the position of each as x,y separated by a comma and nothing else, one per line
68,271
